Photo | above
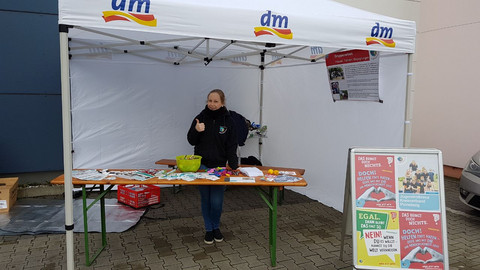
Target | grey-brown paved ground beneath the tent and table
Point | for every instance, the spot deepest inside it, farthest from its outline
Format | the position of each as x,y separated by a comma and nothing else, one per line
170,236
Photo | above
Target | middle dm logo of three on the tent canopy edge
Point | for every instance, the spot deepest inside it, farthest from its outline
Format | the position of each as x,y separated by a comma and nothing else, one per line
272,24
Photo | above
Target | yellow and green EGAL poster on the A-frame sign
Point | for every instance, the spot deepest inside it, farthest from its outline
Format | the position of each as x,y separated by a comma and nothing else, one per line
378,238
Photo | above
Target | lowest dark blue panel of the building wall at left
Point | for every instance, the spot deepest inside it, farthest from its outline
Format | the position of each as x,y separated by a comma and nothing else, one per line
30,137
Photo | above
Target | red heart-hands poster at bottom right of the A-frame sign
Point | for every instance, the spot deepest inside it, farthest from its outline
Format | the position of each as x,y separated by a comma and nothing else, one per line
421,240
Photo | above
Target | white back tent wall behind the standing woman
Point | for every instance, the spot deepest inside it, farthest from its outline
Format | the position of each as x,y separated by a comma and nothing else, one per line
130,114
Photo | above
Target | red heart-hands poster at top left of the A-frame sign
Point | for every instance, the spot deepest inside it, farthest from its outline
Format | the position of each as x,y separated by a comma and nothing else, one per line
375,181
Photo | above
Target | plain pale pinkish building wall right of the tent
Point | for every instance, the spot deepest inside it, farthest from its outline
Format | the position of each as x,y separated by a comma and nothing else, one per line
446,101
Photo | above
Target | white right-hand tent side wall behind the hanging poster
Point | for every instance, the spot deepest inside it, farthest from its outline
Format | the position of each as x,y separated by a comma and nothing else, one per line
306,129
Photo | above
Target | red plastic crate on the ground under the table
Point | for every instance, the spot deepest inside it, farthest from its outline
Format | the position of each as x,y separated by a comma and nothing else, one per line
138,195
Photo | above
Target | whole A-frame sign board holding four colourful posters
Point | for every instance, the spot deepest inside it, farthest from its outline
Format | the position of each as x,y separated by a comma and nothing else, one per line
397,206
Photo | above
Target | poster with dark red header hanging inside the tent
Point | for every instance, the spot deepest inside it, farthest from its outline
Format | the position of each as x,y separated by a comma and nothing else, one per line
353,75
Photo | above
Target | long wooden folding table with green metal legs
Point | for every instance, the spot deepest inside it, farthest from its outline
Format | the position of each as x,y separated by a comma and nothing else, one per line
268,191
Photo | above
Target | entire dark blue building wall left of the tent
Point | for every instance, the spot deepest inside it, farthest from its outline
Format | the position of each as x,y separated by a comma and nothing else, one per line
30,101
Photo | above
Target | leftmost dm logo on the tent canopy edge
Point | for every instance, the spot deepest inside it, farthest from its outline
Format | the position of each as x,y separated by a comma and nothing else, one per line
133,14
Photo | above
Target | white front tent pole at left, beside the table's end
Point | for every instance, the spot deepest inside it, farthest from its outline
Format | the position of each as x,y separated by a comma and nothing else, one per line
67,148
